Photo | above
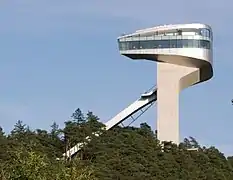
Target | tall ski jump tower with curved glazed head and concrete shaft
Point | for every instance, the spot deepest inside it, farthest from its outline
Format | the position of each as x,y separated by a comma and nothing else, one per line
183,53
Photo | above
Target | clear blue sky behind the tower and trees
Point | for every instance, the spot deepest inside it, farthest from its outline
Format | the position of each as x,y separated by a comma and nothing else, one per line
58,55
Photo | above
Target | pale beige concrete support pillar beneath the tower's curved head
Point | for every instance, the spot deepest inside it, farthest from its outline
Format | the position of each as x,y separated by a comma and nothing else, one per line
171,79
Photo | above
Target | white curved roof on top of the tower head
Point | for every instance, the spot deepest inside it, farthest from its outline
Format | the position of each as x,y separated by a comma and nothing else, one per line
169,27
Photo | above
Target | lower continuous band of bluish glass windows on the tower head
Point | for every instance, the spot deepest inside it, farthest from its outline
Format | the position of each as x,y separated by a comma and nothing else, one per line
160,44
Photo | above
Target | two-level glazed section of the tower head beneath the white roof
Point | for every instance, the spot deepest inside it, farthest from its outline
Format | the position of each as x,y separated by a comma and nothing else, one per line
201,38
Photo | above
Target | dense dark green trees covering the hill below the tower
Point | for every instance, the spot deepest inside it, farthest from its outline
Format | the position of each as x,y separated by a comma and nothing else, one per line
119,154
